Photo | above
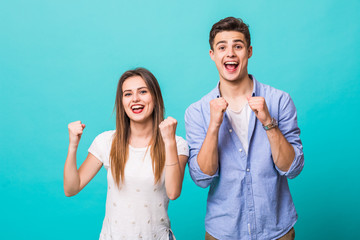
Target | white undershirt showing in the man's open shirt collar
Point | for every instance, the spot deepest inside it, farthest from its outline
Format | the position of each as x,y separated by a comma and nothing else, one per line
239,120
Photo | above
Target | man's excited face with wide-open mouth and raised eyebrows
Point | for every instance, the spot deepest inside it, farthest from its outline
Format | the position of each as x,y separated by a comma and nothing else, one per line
231,55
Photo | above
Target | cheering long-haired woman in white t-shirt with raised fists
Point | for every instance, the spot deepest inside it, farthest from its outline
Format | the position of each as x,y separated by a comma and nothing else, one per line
144,158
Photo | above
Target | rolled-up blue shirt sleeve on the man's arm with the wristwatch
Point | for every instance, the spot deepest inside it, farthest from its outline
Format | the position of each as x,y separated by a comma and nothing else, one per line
289,128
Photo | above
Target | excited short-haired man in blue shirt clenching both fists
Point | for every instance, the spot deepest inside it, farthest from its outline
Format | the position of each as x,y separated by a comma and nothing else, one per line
244,144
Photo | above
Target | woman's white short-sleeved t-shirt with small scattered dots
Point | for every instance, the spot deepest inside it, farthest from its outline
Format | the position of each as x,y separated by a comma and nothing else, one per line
138,210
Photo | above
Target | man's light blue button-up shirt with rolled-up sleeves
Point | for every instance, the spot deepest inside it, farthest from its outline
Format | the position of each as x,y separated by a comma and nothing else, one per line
249,197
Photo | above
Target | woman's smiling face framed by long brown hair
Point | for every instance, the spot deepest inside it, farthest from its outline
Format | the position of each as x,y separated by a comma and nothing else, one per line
137,100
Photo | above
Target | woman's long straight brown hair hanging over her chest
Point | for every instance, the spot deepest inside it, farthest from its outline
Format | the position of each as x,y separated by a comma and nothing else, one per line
120,145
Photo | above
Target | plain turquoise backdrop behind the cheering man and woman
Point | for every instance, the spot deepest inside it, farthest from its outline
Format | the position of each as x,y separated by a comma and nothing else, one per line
60,62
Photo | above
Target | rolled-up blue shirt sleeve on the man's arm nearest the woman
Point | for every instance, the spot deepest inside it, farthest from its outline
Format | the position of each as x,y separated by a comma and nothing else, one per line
195,136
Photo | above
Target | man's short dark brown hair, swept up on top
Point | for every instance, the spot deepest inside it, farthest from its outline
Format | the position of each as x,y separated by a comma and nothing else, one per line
230,24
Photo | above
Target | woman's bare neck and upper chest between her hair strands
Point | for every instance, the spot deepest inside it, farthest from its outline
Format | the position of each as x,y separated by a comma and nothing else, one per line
140,134
